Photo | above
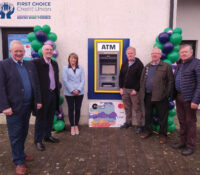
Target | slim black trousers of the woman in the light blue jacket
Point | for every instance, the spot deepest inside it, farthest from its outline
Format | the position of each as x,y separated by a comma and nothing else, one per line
74,102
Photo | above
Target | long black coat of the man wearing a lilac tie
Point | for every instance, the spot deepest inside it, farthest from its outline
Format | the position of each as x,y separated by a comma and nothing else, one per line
44,81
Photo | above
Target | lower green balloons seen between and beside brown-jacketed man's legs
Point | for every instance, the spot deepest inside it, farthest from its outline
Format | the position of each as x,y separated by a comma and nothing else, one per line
171,124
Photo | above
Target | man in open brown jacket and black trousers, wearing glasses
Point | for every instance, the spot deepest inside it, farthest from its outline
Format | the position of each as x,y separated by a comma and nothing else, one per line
156,86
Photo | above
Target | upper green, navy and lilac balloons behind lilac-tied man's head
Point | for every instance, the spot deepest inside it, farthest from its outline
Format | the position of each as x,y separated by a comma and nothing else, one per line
40,36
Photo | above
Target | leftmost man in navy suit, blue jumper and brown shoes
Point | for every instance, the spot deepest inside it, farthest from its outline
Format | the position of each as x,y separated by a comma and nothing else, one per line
19,94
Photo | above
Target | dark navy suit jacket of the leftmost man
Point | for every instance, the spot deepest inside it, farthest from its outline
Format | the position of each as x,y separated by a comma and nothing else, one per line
11,86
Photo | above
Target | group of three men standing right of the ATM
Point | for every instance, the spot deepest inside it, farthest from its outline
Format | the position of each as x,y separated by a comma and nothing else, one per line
153,85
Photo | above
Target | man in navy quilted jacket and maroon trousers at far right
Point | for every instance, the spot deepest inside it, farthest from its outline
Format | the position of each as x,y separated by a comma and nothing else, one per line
187,83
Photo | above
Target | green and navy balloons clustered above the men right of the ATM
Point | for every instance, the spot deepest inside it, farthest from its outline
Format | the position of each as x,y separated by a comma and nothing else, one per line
168,41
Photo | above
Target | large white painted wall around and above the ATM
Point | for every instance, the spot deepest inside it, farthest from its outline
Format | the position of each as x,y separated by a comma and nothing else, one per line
74,21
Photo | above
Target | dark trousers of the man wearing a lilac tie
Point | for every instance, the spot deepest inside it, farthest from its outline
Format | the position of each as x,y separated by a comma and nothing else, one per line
44,123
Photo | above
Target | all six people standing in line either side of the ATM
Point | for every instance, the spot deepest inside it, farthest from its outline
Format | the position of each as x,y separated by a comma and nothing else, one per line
33,86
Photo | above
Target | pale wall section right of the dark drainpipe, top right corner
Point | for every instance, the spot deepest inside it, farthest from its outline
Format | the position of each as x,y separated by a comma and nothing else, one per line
188,15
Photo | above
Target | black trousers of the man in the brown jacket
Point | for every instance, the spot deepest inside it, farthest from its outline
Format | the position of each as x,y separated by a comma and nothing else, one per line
162,113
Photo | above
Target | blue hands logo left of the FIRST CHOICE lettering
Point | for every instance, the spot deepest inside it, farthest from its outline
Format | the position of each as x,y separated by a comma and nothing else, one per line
6,10
